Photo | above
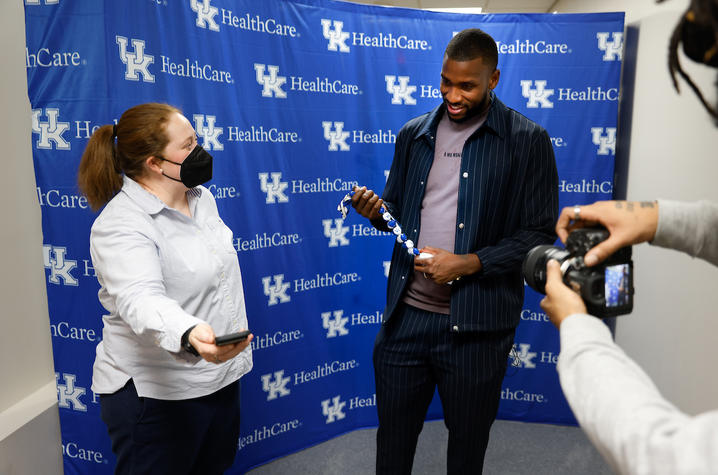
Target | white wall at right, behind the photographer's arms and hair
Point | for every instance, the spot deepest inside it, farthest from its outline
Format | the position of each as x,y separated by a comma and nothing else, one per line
672,155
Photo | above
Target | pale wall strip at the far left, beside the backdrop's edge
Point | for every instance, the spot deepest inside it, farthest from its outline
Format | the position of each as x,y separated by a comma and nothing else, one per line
28,400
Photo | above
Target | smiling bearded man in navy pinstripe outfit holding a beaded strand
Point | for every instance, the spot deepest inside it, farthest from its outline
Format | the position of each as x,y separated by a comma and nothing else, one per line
474,183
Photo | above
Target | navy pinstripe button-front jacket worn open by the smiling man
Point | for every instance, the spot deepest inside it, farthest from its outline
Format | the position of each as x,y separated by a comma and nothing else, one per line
508,203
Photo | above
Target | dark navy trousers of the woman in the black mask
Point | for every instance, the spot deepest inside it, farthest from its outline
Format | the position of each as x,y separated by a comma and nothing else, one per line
190,436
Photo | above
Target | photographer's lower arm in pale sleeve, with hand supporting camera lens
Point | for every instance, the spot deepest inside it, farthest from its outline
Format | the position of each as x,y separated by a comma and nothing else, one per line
616,403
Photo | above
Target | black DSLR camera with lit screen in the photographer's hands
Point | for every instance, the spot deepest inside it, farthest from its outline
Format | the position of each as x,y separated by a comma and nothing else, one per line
606,289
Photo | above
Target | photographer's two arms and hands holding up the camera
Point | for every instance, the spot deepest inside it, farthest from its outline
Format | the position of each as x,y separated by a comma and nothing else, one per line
615,402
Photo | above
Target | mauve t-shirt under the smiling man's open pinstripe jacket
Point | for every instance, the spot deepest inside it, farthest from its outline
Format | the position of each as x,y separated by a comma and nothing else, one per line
438,209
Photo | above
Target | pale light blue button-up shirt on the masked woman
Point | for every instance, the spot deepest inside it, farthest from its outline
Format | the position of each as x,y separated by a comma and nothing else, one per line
161,272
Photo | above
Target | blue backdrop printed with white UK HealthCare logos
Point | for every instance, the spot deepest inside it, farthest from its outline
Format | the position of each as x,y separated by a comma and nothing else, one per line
297,101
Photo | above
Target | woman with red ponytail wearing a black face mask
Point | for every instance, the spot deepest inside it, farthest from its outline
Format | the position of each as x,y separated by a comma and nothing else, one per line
170,281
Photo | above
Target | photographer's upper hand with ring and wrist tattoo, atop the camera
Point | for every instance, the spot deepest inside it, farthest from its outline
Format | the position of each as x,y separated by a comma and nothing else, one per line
628,222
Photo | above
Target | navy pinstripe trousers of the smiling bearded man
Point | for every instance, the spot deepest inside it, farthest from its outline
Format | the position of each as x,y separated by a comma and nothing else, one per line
415,353
